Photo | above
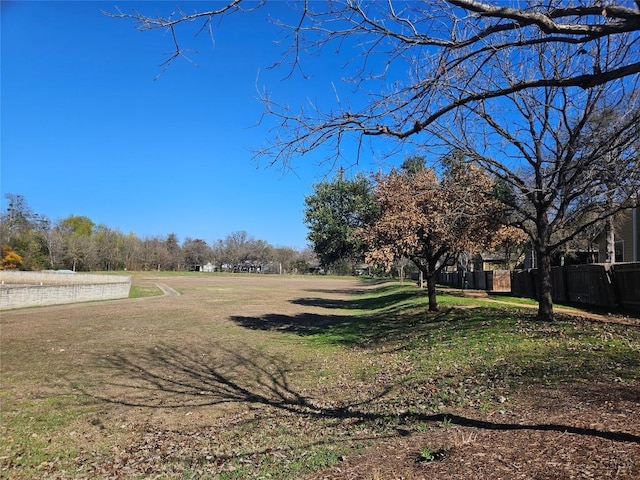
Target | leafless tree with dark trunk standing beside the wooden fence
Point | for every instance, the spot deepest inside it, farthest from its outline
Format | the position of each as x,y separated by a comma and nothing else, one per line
568,166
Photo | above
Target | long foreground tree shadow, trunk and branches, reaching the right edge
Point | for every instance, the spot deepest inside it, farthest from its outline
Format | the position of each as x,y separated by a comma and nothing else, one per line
168,377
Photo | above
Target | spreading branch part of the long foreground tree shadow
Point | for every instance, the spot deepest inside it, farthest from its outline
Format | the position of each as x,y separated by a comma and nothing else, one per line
168,377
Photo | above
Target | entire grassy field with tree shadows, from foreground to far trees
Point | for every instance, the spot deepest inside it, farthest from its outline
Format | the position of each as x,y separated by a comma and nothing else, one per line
313,377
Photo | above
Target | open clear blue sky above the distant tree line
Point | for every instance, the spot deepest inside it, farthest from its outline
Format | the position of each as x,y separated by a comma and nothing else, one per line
86,130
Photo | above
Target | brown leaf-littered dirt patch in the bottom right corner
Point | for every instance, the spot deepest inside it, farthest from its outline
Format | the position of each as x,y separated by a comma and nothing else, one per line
570,432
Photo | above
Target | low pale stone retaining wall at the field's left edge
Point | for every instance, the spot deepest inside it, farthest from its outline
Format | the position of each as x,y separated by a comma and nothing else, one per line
29,289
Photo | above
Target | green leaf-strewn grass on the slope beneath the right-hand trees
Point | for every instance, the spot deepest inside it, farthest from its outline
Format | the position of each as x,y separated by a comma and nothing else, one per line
468,356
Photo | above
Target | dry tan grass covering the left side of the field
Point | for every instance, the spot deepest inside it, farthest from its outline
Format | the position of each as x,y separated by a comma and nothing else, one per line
86,383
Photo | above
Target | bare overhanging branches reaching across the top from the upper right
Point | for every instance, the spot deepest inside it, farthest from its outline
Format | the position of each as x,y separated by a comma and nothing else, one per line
450,50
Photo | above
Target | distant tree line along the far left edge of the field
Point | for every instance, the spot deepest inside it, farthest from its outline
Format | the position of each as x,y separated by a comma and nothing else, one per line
30,241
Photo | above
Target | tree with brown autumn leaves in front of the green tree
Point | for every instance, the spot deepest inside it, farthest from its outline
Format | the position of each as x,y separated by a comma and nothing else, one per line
431,220
